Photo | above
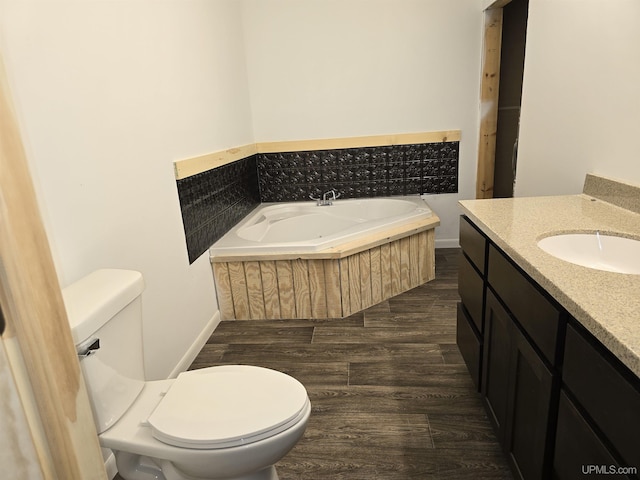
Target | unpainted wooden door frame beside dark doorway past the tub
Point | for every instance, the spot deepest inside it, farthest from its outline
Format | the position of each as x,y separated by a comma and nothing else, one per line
489,93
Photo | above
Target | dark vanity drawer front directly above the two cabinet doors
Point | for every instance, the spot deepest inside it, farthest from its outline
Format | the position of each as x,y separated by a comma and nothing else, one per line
537,316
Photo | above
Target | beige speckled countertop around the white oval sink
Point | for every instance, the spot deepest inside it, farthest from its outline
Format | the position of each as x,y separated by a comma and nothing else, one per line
605,303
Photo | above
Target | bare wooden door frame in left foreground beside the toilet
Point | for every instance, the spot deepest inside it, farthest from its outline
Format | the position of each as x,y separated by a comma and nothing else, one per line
37,336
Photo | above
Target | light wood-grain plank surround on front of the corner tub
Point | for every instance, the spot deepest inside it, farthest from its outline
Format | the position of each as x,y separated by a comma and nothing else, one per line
332,283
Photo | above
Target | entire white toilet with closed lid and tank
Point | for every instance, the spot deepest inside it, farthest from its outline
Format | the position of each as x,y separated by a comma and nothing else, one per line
231,422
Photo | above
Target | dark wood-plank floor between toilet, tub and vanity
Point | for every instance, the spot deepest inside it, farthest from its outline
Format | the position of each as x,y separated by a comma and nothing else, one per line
391,397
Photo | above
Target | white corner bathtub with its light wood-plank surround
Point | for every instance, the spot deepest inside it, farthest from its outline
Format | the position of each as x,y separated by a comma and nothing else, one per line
300,260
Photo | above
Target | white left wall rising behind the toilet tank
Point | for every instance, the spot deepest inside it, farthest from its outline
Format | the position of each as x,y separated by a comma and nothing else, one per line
109,94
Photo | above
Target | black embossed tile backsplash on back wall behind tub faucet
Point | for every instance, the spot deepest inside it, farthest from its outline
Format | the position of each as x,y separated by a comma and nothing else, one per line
359,172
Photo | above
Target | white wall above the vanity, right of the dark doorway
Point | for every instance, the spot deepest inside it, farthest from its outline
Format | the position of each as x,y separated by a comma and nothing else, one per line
581,100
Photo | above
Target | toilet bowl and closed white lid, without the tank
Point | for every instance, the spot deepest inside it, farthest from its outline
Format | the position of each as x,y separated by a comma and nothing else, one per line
240,438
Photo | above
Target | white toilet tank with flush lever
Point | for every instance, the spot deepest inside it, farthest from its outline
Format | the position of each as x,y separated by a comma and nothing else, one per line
106,306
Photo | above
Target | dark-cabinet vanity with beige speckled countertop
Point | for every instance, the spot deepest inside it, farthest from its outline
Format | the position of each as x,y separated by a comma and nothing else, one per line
553,347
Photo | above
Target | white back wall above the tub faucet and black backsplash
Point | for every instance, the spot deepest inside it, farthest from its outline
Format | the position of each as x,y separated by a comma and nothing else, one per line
336,68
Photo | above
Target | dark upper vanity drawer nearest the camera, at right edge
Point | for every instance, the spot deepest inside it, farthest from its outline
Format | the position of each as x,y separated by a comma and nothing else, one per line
609,396
